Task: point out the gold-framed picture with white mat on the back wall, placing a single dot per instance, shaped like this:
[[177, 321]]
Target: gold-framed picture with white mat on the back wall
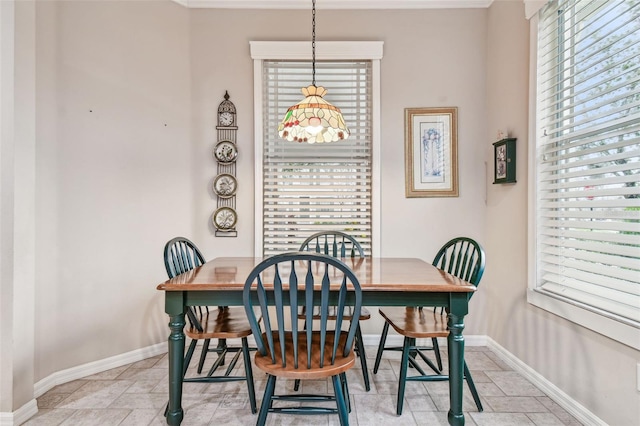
[[431, 152]]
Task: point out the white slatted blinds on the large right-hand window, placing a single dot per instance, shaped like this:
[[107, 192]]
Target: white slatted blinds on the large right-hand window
[[587, 155]]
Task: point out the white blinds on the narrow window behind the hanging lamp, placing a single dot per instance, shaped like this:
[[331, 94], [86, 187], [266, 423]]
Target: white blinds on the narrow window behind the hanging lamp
[[314, 187]]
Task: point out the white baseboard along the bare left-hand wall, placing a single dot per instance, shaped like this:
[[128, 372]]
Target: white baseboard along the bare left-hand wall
[[84, 370]]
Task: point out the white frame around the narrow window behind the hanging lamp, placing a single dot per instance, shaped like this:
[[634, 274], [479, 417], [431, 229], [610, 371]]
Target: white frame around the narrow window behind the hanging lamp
[[325, 50]]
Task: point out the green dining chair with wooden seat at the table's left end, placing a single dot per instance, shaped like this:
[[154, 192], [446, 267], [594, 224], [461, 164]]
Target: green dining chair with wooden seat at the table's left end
[[222, 323]]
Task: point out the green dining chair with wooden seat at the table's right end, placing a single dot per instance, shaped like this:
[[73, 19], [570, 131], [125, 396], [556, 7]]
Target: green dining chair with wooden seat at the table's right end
[[462, 257]]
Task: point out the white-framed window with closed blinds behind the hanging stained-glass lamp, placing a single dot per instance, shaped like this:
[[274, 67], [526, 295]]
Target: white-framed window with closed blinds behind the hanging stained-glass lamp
[[305, 188]]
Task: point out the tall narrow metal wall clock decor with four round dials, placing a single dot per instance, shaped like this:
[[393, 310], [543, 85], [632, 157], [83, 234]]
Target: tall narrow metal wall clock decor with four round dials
[[225, 184]]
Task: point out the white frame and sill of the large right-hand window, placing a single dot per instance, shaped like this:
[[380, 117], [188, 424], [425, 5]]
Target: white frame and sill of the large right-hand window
[[598, 321]]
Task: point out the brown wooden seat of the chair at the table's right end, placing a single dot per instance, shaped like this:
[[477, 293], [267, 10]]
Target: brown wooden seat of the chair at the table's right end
[[416, 323]]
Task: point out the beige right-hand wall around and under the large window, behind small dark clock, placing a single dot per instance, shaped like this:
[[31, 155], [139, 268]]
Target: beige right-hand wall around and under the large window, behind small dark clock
[[595, 371]]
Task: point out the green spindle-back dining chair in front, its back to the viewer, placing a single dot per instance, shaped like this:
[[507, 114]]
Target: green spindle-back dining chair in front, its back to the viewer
[[276, 288]]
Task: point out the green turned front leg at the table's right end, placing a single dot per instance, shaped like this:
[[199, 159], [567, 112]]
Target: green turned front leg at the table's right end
[[455, 341]]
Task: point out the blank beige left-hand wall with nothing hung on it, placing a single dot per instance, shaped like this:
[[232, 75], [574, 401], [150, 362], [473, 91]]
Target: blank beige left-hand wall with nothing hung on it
[[113, 184]]
